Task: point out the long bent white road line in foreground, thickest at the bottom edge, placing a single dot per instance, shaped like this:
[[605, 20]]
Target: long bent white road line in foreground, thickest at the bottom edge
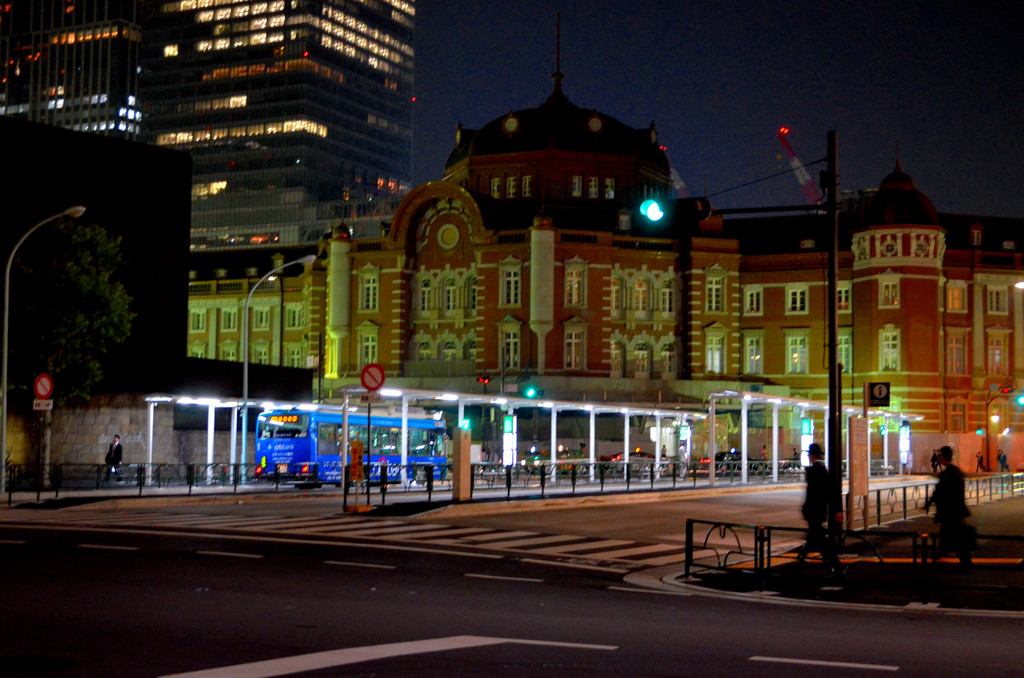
[[326, 660]]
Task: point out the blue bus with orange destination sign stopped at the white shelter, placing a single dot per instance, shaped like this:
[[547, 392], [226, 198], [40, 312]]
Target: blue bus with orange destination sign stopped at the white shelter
[[296, 444]]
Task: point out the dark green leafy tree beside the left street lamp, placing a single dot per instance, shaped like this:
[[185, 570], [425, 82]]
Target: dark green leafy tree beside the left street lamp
[[68, 310]]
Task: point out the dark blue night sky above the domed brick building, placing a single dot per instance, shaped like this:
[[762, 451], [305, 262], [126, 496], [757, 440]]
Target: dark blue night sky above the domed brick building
[[942, 81]]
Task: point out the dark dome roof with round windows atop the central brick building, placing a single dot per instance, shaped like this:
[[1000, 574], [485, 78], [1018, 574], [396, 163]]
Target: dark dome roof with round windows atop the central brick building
[[559, 125]]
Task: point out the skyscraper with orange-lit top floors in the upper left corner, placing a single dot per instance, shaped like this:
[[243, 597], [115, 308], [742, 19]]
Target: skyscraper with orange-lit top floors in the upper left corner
[[72, 65]]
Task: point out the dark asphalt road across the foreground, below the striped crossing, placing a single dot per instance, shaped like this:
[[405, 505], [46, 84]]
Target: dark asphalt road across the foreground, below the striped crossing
[[96, 603]]
